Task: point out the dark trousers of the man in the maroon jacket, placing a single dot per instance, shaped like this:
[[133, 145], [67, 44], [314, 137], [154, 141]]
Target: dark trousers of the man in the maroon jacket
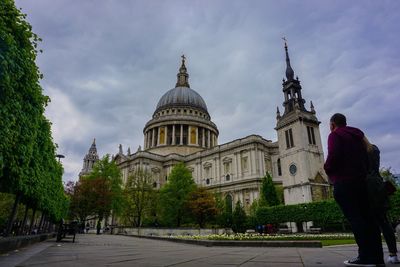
[[352, 198]]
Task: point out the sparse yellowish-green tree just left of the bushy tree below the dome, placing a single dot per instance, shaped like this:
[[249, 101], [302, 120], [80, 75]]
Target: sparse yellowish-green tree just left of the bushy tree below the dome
[[140, 196]]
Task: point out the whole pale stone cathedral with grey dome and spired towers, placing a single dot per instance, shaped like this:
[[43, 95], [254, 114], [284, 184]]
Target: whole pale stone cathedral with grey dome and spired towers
[[181, 130]]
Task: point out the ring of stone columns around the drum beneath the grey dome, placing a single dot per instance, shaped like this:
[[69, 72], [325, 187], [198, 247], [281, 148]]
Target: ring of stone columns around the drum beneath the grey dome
[[180, 134]]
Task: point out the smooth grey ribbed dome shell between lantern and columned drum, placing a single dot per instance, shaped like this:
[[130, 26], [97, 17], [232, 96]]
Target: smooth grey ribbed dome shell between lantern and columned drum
[[181, 96]]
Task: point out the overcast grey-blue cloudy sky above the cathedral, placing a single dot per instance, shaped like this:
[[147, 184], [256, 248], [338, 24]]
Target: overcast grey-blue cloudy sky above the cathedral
[[107, 63]]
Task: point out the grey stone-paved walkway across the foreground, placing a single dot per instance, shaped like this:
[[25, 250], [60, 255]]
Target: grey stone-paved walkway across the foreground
[[110, 250]]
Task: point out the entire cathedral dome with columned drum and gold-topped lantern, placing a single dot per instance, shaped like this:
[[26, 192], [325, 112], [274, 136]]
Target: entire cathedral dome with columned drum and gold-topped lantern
[[181, 123]]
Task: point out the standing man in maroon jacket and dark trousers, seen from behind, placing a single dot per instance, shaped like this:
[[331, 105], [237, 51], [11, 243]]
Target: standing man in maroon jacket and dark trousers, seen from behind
[[347, 166]]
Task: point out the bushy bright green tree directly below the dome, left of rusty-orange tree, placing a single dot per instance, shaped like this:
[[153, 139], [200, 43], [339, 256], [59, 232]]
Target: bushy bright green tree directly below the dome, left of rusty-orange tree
[[174, 195]]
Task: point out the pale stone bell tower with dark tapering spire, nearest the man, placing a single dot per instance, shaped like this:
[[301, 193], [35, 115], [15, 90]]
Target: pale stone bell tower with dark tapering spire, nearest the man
[[301, 157]]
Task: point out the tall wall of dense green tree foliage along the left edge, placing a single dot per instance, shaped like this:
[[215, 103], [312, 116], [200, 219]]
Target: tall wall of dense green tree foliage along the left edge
[[28, 169]]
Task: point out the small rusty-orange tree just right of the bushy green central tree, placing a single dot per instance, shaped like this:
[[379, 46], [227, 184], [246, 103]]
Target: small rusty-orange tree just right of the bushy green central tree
[[202, 206]]
